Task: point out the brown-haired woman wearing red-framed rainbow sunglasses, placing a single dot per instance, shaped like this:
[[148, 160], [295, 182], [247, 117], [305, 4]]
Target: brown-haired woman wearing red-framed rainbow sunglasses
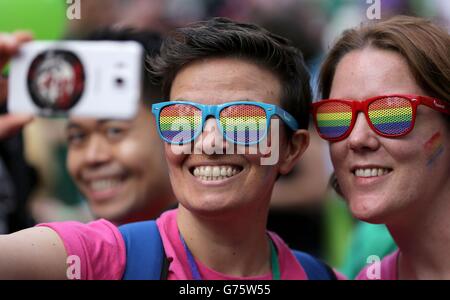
[[389, 133]]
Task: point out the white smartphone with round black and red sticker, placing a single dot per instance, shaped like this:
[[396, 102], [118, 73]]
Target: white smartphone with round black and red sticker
[[98, 79]]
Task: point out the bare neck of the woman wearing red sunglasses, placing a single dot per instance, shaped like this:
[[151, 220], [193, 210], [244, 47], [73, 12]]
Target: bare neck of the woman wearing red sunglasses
[[424, 240]]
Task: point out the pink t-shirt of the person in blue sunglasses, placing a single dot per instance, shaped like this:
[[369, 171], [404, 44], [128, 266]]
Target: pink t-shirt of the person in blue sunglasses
[[102, 253]]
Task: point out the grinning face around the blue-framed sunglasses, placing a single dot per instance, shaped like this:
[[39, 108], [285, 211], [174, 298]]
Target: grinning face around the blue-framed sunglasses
[[241, 180]]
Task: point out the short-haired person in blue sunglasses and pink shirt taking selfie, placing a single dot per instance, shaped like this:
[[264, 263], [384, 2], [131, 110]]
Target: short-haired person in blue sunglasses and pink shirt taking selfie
[[237, 119]]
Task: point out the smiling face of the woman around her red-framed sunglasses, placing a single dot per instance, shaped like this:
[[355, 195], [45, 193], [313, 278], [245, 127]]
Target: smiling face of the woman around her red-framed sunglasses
[[408, 174]]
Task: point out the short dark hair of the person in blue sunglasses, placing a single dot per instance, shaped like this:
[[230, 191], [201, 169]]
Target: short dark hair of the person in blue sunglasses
[[221, 37]]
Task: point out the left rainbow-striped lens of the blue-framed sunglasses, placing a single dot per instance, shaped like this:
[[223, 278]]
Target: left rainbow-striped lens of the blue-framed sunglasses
[[180, 123]]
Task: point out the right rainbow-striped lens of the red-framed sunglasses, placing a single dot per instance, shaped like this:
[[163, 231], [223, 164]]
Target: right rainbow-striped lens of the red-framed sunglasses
[[392, 115]]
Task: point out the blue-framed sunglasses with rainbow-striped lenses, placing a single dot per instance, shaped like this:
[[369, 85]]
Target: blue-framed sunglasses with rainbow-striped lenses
[[241, 122]]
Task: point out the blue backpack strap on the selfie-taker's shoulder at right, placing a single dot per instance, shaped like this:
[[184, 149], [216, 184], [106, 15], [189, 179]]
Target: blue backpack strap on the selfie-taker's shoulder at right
[[315, 269]]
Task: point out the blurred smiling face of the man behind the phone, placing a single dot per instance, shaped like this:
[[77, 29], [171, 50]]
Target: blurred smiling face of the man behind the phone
[[118, 165]]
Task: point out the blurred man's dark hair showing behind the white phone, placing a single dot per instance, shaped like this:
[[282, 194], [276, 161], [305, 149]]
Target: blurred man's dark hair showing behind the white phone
[[150, 41]]
